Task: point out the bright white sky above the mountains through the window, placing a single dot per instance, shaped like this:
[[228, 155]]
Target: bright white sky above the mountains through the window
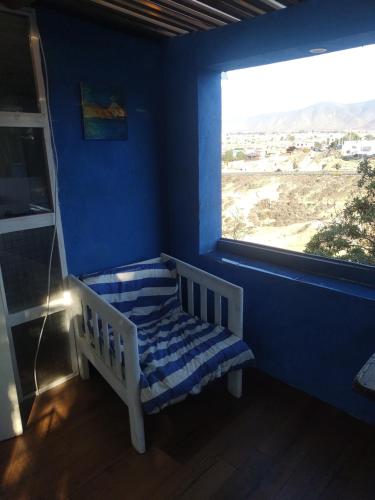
[[346, 76]]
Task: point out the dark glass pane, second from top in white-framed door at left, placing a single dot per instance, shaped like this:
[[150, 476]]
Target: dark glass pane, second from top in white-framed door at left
[[24, 185]]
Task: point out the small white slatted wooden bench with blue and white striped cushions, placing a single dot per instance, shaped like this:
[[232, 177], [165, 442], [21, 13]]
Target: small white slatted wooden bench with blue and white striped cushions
[[131, 325]]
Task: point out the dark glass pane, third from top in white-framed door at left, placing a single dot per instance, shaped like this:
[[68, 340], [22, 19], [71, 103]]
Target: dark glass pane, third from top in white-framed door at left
[[24, 260]]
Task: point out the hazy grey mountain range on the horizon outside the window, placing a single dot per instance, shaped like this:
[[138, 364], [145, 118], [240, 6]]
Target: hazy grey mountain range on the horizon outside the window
[[320, 117]]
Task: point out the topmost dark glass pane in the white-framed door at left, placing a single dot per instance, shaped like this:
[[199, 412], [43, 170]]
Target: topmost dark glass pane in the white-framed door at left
[[17, 84]]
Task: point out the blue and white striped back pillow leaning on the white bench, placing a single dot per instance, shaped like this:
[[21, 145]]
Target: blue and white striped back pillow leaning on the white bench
[[144, 292]]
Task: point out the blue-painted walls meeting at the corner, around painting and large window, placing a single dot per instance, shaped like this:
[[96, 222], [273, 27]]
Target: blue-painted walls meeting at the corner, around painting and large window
[[115, 195]]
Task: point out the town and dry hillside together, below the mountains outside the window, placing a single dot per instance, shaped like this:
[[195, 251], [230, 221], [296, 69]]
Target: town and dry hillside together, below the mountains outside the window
[[279, 189]]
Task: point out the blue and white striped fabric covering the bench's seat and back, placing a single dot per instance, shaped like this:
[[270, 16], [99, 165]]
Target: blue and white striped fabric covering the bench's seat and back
[[179, 354]]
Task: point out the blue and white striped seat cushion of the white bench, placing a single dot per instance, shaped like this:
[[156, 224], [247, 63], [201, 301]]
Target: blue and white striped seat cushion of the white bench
[[181, 354]]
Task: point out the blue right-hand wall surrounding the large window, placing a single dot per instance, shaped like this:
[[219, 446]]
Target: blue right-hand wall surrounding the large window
[[308, 334]]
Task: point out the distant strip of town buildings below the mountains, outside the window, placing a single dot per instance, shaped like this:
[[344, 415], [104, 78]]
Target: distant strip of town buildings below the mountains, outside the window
[[296, 152]]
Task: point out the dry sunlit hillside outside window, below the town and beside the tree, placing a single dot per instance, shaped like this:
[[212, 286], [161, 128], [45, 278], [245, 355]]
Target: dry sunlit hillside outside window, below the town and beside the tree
[[282, 210]]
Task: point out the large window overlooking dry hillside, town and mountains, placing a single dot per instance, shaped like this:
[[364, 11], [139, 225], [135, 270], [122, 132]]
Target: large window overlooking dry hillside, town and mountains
[[298, 155]]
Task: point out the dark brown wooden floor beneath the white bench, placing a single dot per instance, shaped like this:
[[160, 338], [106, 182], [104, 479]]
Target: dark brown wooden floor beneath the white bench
[[276, 443]]
